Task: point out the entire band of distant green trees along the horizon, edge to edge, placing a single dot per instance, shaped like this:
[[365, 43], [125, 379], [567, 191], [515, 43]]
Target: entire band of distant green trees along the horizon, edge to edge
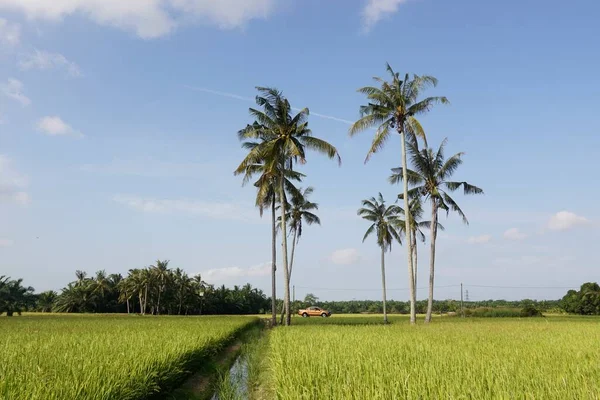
[[105, 294]]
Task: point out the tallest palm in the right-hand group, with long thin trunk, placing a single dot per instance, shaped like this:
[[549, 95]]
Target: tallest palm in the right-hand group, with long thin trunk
[[394, 106]]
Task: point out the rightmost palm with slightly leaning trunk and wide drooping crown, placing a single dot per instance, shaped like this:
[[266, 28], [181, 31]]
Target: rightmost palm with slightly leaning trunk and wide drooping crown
[[431, 179]]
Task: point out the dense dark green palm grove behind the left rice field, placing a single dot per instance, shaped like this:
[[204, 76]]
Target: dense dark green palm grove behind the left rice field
[[154, 290]]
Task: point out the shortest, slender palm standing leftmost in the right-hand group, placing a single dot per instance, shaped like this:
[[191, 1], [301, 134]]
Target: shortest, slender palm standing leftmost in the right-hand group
[[384, 220]]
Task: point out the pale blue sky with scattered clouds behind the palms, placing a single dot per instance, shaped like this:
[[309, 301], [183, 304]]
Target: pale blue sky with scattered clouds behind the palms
[[118, 122]]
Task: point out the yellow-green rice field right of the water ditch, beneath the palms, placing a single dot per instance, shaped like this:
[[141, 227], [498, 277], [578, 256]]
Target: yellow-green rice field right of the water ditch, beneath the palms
[[454, 358]]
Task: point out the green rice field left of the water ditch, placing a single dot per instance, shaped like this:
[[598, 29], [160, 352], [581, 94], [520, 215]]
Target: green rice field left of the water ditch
[[106, 357]]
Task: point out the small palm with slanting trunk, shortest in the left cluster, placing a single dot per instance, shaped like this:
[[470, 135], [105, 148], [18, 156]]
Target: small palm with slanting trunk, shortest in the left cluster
[[300, 209]]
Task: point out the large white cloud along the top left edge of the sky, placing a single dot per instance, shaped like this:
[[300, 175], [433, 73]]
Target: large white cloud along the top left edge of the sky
[[147, 18]]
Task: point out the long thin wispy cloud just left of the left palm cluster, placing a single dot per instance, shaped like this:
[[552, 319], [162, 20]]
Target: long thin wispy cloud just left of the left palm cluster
[[226, 211]]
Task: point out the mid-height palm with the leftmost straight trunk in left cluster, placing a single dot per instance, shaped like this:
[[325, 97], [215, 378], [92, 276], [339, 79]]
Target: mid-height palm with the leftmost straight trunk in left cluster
[[267, 196]]
